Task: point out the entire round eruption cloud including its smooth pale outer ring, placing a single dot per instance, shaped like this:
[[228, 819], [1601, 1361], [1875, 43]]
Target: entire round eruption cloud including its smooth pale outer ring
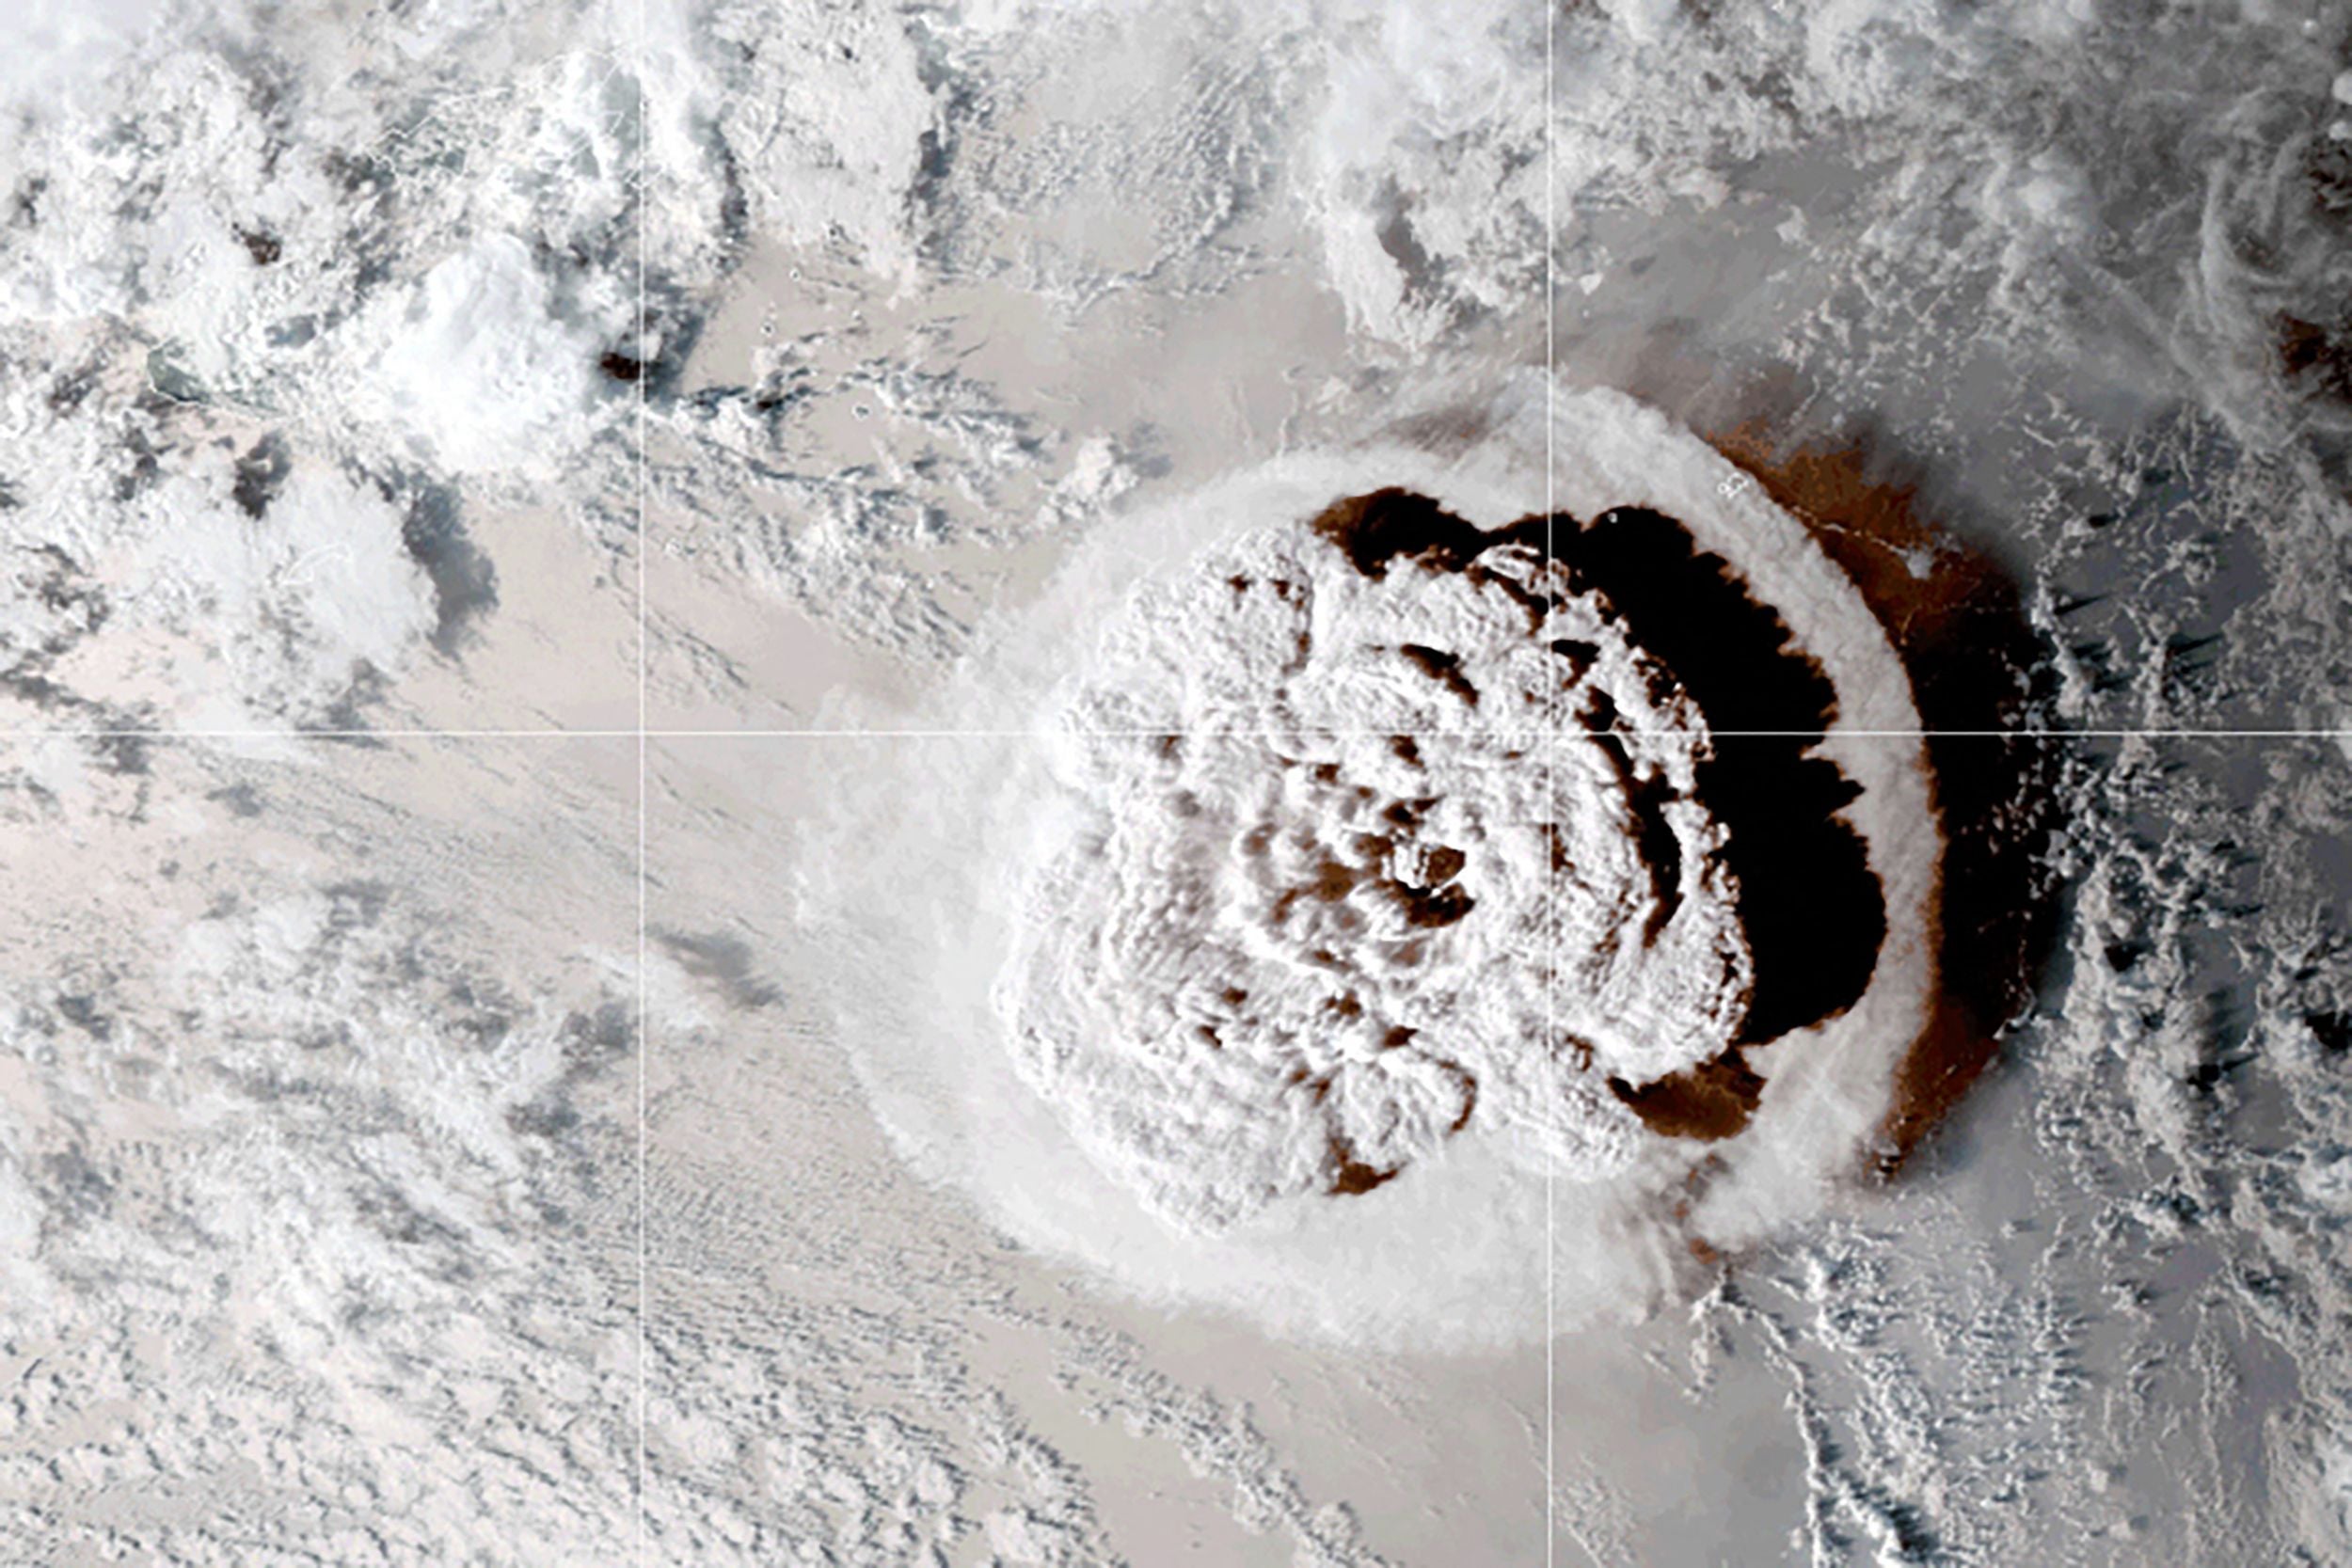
[[1379, 904]]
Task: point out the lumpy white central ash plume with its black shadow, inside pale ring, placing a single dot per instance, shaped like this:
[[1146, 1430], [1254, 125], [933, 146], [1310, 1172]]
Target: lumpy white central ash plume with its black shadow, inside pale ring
[[1405, 831]]
